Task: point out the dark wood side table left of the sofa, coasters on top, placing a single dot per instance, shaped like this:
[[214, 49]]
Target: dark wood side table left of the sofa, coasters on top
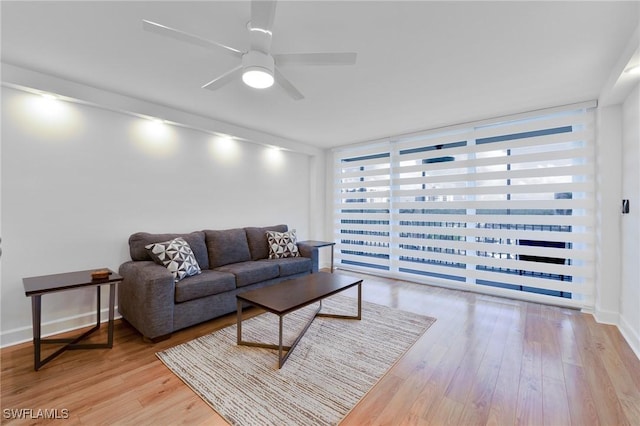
[[35, 287]]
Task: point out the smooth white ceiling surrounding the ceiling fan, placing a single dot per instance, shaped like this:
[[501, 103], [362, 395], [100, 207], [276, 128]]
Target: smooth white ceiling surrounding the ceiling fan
[[420, 64]]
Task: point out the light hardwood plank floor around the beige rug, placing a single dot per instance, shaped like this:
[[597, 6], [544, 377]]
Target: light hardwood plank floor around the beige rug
[[486, 361]]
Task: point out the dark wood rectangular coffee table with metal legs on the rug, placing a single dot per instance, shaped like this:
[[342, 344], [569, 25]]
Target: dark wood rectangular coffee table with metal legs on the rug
[[291, 295]]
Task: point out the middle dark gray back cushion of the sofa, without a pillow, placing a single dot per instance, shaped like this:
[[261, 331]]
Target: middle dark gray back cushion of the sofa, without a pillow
[[228, 246]]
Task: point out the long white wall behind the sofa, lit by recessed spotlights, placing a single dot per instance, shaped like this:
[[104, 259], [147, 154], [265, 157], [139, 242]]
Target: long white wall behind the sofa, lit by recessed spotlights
[[77, 180]]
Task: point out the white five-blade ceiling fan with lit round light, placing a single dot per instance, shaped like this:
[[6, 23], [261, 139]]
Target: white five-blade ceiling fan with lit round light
[[259, 67]]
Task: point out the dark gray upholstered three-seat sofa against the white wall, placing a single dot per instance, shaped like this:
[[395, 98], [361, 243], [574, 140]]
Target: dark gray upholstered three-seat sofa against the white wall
[[232, 261]]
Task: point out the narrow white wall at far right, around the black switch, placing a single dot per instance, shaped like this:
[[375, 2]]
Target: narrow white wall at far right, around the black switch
[[630, 235]]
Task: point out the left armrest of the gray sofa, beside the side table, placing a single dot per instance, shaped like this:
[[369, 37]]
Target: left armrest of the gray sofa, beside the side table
[[146, 297]]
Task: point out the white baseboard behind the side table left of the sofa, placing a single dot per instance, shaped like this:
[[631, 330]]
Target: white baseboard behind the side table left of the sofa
[[62, 325]]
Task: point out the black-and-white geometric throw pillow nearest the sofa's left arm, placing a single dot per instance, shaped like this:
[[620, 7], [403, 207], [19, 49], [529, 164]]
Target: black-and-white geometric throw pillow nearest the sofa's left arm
[[177, 256]]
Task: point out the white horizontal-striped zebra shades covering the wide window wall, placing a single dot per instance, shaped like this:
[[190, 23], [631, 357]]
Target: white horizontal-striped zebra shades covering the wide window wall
[[504, 206]]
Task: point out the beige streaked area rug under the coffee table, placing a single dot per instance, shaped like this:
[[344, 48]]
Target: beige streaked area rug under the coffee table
[[334, 365]]
